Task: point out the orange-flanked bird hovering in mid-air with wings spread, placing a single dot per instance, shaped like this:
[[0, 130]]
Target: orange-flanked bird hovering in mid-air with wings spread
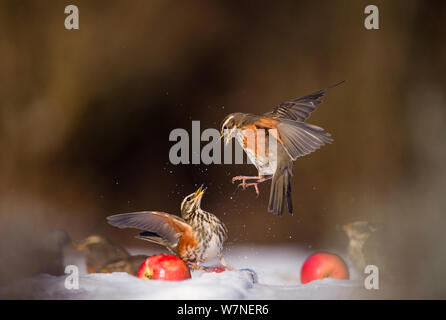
[[293, 137]]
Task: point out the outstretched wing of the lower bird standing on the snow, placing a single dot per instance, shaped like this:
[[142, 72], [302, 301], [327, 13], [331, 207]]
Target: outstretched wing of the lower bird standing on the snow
[[158, 224]]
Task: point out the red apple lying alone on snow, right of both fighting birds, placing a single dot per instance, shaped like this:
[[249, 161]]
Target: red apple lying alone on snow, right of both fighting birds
[[322, 265]]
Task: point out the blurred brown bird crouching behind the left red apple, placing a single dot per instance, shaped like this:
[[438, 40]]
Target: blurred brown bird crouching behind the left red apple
[[100, 252]]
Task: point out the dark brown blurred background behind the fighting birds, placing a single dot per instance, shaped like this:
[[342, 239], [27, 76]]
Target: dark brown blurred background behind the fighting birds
[[85, 117]]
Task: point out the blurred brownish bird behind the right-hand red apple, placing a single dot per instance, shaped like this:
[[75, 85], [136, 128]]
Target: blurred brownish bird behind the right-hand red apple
[[358, 233]]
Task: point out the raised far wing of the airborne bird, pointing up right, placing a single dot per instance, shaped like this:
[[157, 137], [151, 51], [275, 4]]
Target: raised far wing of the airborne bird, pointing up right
[[299, 109]]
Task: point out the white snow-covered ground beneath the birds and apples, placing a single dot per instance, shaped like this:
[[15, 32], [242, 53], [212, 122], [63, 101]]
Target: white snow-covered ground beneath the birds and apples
[[277, 269]]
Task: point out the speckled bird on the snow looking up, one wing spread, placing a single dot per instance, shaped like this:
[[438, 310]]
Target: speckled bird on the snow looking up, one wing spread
[[196, 237]]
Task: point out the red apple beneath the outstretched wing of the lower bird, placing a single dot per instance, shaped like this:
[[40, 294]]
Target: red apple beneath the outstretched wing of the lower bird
[[165, 267]]
